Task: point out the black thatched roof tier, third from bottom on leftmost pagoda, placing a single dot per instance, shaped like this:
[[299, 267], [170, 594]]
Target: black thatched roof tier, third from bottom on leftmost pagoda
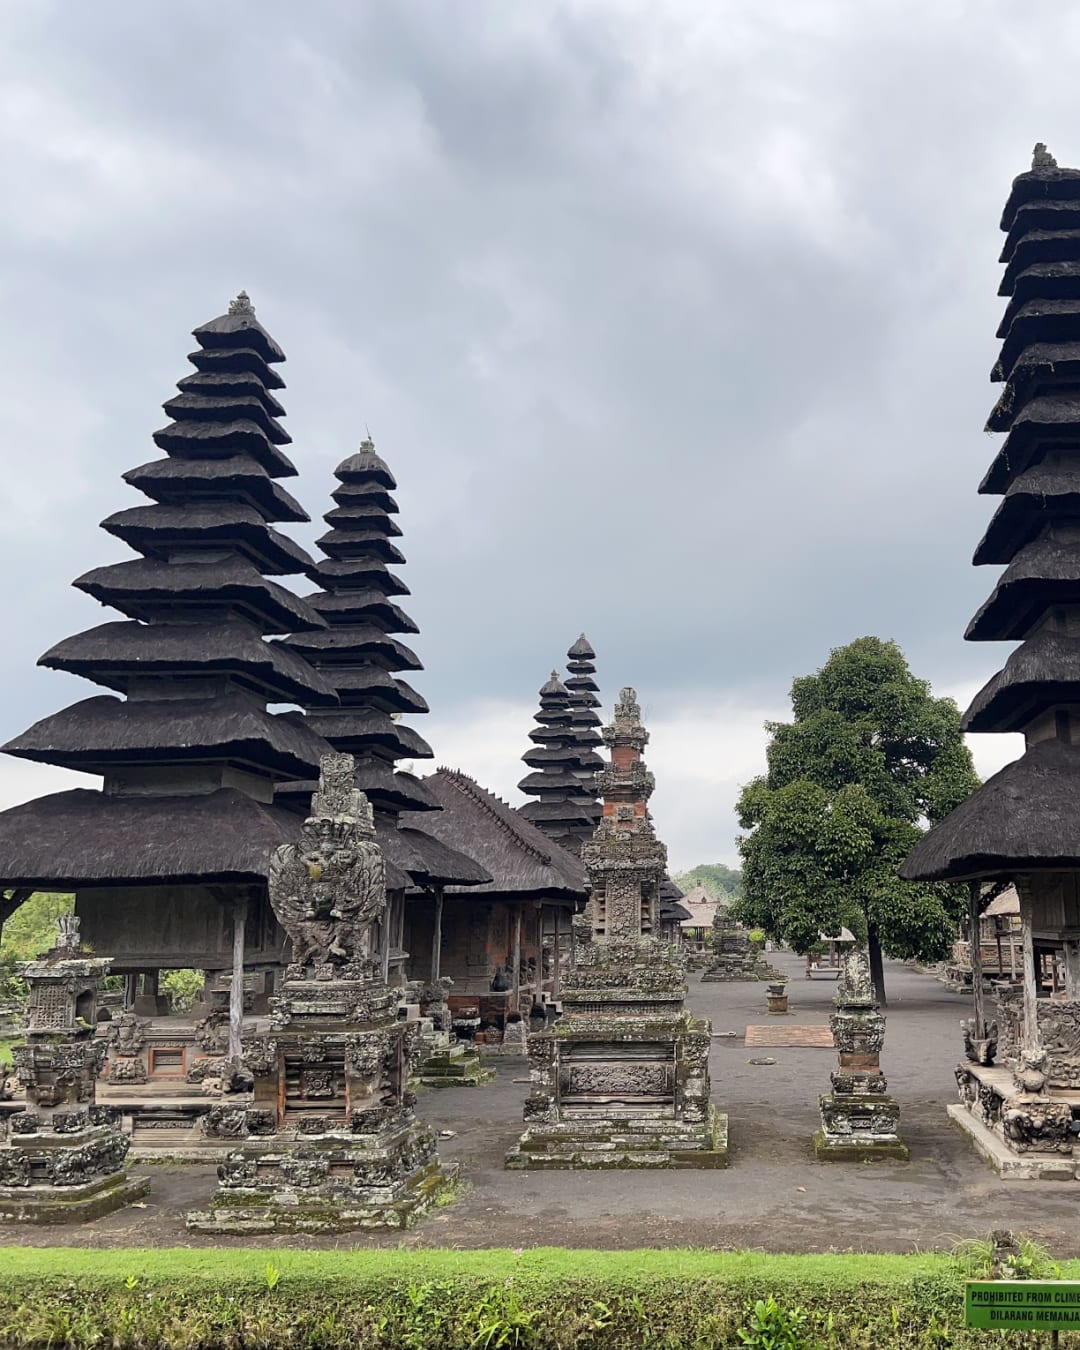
[[117, 654]]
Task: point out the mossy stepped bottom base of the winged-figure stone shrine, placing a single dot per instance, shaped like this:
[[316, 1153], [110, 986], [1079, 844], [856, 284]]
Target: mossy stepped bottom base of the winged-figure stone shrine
[[329, 1183]]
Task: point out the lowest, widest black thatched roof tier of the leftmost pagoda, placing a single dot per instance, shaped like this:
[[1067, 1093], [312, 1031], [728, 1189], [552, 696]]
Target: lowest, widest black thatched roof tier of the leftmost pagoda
[[95, 839]]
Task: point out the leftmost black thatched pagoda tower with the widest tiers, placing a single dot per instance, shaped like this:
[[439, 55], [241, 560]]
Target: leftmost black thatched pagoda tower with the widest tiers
[[169, 858]]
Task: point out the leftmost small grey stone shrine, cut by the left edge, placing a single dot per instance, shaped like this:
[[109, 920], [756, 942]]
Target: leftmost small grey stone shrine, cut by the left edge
[[64, 1156]]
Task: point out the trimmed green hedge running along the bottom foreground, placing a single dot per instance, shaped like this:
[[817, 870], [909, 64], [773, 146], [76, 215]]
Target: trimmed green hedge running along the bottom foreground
[[475, 1301]]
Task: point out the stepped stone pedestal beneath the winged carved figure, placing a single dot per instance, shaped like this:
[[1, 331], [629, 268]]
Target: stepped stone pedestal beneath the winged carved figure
[[331, 1141]]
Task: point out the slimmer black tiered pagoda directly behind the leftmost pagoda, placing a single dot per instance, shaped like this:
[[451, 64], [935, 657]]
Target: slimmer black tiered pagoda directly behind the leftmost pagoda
[[360, 657]]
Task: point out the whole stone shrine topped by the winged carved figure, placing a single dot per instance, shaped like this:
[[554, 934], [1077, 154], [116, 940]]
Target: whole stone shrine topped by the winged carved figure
[[330, 1141]]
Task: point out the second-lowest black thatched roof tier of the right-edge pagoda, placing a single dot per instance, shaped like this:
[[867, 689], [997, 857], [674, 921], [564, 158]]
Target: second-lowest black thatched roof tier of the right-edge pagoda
[[1043, 673]]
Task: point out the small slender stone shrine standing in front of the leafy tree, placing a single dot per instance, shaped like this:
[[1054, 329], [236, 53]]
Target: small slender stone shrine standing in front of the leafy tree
[[859, 1120]]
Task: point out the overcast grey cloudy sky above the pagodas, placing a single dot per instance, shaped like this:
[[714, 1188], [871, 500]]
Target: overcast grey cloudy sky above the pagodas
[[674, 322]]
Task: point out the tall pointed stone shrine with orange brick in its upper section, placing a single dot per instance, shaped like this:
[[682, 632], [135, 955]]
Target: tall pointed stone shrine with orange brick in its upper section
[[622, 1081]]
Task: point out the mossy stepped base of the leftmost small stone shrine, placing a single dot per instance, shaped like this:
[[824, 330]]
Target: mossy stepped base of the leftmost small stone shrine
[[68, 1177]]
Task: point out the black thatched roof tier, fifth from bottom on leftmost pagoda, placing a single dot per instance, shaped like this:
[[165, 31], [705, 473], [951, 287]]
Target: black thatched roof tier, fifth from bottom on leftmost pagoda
[[167, 531]]
